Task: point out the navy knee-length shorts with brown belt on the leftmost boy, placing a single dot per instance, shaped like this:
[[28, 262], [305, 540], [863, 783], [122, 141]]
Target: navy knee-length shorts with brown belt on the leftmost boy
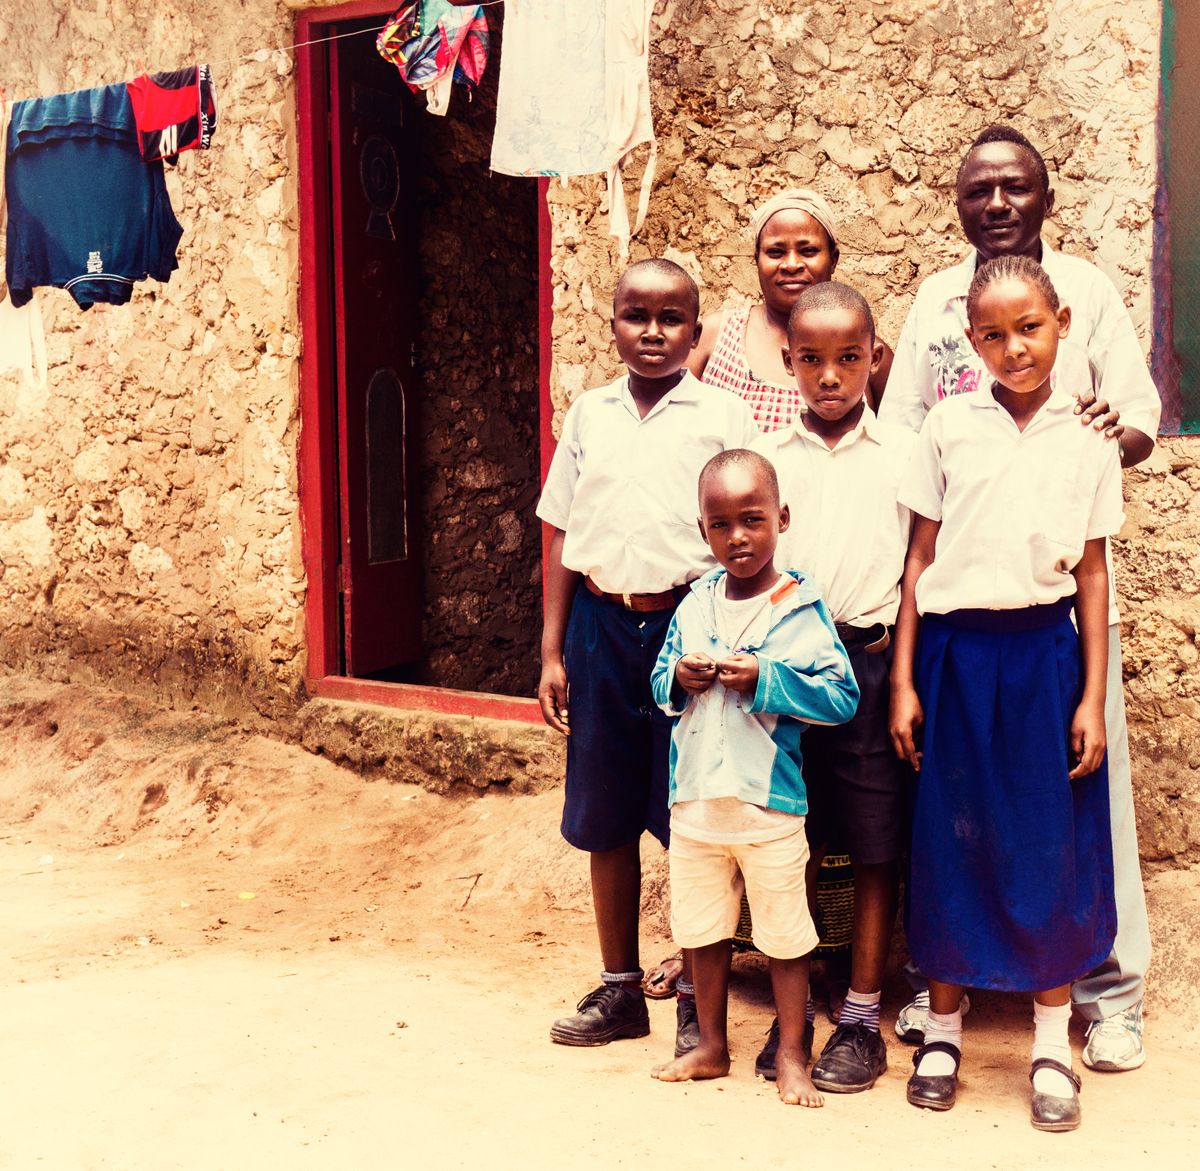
[[619, 752]]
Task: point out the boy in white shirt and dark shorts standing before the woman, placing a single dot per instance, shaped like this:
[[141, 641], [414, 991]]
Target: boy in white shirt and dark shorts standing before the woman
[[847, 467]]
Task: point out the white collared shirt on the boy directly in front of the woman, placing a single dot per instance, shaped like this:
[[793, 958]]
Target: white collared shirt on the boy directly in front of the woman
[[849, 532]]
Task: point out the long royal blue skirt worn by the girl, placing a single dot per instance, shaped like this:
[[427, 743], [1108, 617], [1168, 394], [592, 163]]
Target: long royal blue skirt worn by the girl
[[1012, 863]]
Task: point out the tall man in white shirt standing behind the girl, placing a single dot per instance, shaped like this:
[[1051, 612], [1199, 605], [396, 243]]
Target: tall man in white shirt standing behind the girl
[[1004, 196]]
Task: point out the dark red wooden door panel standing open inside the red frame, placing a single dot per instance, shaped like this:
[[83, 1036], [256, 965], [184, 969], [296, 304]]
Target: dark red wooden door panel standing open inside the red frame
[[375, 302]]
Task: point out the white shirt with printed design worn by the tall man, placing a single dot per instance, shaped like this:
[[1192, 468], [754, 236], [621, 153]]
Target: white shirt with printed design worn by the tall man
[[934, 361]]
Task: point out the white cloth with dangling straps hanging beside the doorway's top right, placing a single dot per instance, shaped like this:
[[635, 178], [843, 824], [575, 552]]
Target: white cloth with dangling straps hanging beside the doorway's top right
[[575, 97]]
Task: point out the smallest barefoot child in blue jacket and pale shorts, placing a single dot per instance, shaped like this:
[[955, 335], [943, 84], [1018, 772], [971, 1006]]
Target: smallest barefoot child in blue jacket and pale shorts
[[751, 656]]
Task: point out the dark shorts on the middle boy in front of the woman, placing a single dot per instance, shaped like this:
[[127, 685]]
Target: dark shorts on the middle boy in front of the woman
[[859, 789]]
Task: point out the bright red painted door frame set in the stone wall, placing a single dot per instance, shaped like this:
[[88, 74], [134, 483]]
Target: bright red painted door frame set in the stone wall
[[317, 488]]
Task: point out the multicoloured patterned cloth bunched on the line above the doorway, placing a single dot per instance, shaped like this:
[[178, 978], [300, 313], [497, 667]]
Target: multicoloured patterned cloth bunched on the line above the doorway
[[434, 44]]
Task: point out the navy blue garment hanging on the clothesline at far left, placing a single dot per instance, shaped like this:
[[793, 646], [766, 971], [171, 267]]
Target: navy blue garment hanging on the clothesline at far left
[[86, 213]]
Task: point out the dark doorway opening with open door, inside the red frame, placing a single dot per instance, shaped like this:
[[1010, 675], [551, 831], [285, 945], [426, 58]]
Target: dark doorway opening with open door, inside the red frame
[[433, 290]]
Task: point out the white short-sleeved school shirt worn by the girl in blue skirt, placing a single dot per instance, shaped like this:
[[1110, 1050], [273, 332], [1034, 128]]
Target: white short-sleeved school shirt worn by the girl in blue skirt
[[1016, 506]]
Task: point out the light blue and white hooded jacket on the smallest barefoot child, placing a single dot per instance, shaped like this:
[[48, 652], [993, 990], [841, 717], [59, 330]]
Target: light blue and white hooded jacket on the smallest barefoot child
[[728, 746]]
